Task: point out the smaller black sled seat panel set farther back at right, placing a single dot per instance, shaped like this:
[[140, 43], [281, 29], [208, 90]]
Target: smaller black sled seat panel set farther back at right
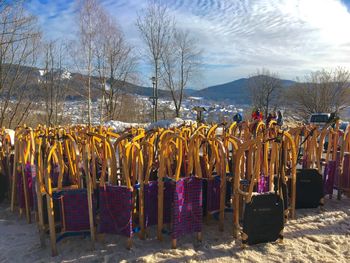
[[309, 189]]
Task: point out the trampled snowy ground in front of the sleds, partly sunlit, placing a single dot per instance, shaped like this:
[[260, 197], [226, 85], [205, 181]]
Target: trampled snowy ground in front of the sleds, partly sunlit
[[315, 236]]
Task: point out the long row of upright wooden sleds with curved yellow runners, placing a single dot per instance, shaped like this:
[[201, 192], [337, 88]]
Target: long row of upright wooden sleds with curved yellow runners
[[90, 180]]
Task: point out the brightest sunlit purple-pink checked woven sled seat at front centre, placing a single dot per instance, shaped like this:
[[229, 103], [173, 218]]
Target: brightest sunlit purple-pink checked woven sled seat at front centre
[[187, 207]]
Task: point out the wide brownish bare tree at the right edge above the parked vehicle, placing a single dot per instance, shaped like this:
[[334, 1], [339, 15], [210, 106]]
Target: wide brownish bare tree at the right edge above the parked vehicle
[[320, 91]]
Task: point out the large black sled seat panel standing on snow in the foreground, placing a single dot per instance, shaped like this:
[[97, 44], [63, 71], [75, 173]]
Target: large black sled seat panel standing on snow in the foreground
[[263, 219]]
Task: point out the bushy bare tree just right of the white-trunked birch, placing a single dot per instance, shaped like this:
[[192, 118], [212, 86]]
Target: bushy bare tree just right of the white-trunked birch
[[115, 65]]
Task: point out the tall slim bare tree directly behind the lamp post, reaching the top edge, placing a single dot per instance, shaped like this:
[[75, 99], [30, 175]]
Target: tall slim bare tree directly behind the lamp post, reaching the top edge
[[155, 25]]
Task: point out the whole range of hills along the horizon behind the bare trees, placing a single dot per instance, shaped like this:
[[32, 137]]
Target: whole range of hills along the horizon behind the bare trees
[[32, 82]]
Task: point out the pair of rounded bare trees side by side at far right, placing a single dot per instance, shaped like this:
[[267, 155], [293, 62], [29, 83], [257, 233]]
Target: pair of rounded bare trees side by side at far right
[[320, 91]]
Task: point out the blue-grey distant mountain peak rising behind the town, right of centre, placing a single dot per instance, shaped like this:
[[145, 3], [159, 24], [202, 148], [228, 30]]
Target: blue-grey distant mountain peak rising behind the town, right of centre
[[235, 91]]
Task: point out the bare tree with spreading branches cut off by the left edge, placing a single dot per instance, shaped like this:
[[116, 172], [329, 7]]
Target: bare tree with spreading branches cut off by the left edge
[[19, 36]]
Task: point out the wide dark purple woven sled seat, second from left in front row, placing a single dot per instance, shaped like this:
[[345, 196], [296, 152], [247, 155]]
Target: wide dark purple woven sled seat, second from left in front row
[[116, 210]]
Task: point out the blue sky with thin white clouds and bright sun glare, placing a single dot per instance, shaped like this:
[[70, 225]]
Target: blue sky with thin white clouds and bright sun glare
[[237, 37]]
